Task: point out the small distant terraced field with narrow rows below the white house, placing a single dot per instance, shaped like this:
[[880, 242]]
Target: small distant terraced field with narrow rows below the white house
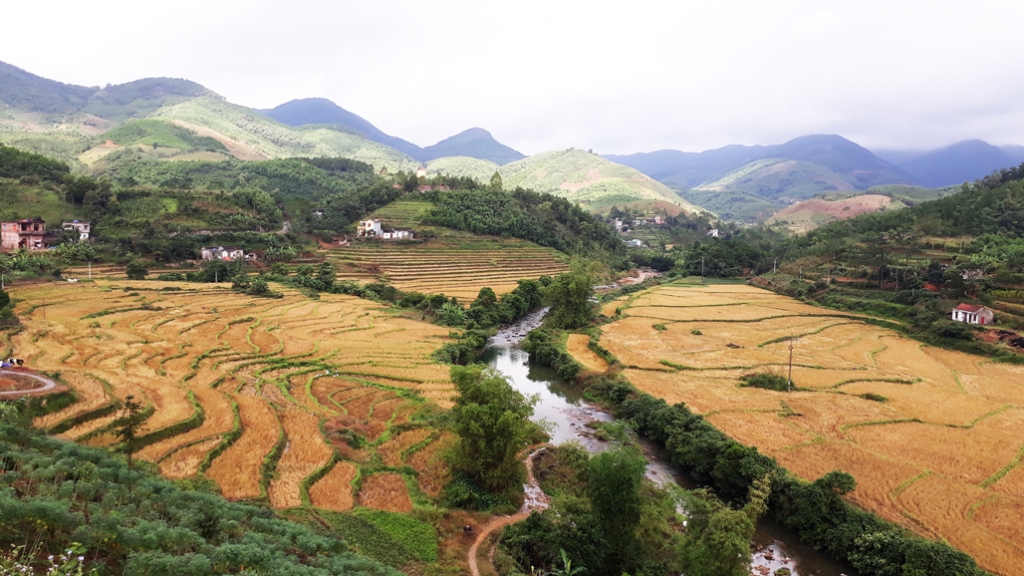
[[455, 269]]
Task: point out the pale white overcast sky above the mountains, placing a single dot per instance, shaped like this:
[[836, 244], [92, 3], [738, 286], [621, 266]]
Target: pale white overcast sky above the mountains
[[618, 77]]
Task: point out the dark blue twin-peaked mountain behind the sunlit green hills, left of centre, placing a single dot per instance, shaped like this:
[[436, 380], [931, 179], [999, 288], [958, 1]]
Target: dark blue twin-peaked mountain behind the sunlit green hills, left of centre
[[476, 143]]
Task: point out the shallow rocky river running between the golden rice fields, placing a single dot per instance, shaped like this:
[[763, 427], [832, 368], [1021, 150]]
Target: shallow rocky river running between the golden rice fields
[[568, 415]]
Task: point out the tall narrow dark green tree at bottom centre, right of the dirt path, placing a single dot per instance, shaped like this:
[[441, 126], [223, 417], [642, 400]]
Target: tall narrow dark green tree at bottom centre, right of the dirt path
[[615, 480]]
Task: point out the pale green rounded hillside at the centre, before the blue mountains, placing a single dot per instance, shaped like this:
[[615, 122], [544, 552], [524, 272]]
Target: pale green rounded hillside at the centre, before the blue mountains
[[593, 182]]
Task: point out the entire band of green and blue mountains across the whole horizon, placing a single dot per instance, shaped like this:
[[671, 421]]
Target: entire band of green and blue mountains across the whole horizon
[[162, 119]]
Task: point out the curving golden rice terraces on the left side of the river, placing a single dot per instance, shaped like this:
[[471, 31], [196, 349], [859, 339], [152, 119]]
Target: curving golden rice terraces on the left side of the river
[[265, 397]]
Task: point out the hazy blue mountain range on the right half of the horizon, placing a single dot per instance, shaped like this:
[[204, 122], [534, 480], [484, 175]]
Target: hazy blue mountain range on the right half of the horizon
[[751, 183]]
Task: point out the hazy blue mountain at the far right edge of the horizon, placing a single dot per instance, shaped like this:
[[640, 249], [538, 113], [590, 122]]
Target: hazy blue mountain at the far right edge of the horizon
[[966, 161]]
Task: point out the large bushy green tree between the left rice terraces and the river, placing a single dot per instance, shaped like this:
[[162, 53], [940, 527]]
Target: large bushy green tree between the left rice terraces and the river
[[493, 423]]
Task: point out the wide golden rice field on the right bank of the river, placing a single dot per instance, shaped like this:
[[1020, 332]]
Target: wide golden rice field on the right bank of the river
[[942, 456]]
